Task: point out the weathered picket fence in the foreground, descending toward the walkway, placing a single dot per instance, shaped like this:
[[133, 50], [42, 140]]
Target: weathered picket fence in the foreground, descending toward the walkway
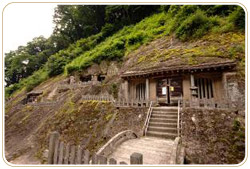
[[61, 153]]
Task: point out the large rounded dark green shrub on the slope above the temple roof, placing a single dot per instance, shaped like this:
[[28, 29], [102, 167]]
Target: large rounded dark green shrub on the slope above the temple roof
[[194, 26]]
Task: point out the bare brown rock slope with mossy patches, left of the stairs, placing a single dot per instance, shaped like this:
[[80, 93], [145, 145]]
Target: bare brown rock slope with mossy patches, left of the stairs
[[87, 123]]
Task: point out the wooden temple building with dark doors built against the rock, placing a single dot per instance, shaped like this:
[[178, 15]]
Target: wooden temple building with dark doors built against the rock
[[176, 79]]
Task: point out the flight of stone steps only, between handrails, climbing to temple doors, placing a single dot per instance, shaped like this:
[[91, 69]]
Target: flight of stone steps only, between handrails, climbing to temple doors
[[163, 122]]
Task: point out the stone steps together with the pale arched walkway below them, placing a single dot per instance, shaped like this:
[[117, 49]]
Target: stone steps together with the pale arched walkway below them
[[159, 145]]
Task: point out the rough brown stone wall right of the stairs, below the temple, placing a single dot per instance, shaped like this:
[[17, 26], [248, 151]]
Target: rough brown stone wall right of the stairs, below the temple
[[213, 136]]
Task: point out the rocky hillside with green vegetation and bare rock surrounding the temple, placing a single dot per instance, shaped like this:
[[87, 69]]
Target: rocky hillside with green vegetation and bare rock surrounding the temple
[[176, 37]]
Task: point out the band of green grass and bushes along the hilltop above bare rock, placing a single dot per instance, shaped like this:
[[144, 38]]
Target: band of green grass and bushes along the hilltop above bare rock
[[186, 22]]
